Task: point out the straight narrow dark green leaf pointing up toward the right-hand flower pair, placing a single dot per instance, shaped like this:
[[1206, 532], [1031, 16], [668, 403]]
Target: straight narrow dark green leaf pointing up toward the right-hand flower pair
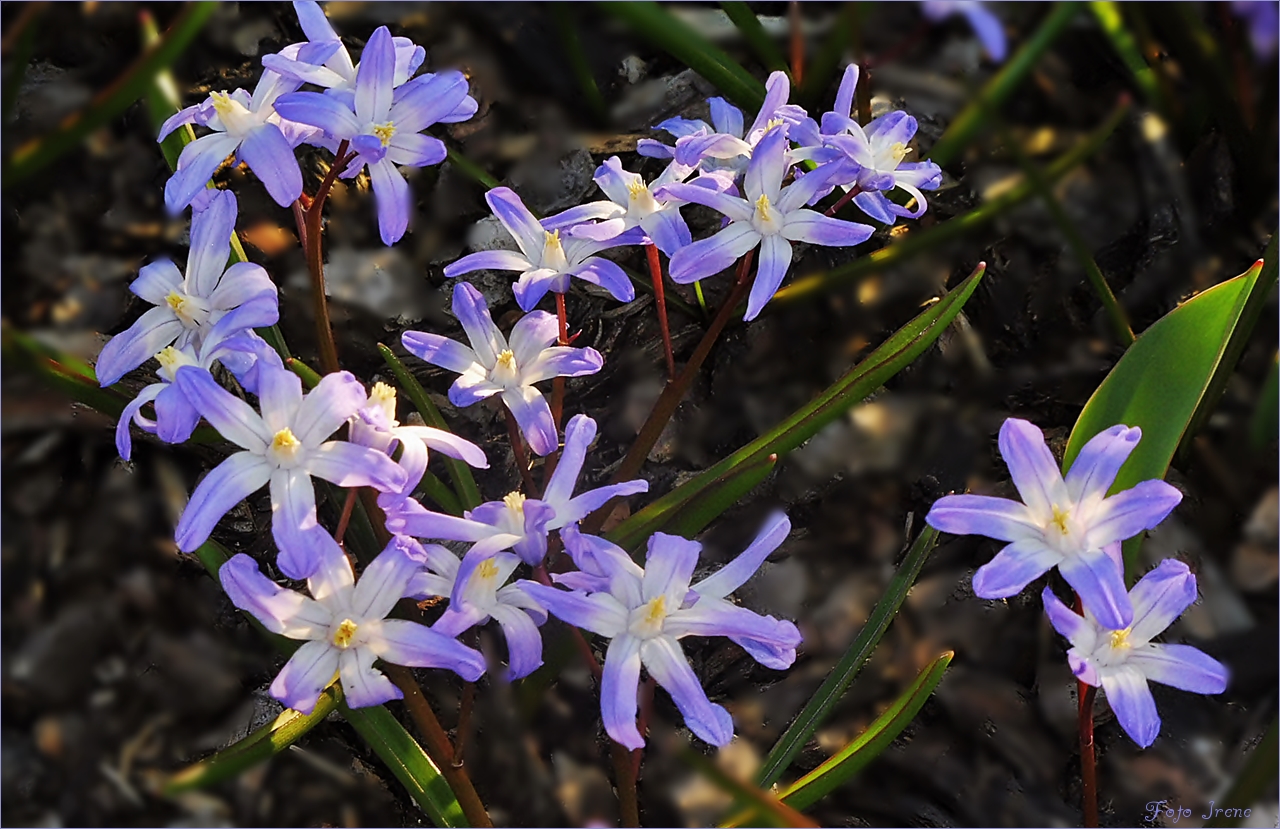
[[822, 703]]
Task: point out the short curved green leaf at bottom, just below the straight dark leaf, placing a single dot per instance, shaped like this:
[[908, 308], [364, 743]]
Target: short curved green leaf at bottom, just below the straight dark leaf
[[857, 755]]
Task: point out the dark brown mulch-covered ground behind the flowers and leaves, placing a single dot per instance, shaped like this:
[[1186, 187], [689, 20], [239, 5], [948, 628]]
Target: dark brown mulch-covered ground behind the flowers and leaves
[[124, 662]]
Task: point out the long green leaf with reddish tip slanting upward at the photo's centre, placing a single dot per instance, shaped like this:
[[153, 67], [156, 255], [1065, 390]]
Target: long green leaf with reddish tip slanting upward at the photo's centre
[[872, 373]]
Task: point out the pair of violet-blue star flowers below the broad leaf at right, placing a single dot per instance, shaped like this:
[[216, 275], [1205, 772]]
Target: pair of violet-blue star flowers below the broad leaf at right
[[1072, 524]]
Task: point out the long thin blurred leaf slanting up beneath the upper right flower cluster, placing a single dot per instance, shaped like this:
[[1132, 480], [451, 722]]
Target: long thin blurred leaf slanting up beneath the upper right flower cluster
[[920, 241]]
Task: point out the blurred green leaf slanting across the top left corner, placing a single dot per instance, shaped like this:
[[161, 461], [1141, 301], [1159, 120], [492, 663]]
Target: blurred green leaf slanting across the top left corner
[[40, 153]]
